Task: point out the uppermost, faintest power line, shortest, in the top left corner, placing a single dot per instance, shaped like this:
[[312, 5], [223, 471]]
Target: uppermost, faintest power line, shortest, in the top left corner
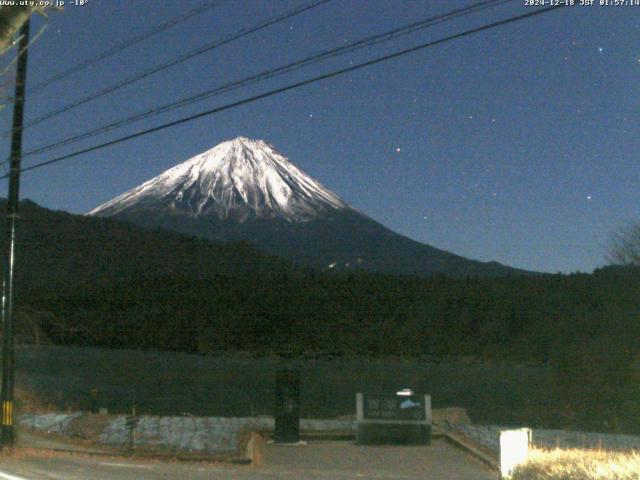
[[119, 47]]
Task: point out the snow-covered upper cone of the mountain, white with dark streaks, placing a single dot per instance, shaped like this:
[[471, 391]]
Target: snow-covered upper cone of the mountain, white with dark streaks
[[235, 180]]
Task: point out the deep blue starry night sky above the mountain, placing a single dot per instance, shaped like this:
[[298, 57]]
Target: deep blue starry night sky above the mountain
[[518, 144]]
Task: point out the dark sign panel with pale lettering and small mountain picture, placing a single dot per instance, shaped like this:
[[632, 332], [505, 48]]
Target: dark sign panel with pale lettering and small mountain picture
[[394, 407]]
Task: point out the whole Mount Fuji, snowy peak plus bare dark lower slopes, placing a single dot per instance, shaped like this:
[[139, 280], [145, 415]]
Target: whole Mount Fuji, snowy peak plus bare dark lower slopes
[[244, 189]]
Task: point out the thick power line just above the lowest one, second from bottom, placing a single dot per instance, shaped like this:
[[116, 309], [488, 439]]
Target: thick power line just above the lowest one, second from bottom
[[367, 42]]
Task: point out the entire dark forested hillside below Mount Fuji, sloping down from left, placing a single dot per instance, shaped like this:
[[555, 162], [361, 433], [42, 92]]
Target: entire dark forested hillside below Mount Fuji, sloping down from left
[[97, 282]]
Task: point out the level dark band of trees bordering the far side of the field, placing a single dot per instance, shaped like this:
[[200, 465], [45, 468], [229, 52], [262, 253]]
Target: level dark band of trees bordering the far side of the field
[[518, 318]]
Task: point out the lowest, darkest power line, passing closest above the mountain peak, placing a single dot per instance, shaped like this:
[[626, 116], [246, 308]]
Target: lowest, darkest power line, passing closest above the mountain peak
[[291, 87]]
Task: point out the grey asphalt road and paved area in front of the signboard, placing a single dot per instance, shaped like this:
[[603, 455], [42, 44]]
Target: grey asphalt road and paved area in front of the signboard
[[315, 461]]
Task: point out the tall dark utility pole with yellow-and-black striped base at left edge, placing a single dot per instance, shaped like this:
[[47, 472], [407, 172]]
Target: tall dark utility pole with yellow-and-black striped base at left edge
[[8, 359]]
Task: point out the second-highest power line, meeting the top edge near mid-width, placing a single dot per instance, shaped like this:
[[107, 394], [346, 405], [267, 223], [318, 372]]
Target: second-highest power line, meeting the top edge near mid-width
[[128, 81]]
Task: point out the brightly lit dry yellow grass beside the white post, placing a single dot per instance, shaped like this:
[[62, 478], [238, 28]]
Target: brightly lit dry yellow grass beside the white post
[[579, 465]]
